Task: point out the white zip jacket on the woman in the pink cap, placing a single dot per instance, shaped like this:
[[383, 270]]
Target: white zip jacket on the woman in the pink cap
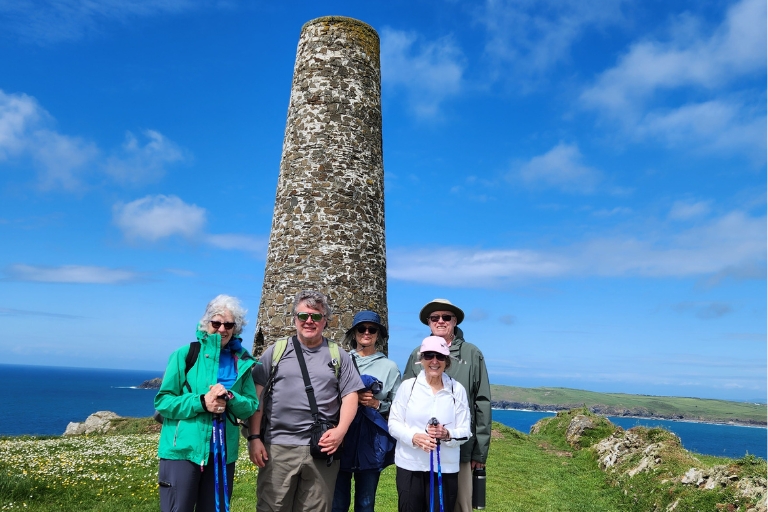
[[414, 406]]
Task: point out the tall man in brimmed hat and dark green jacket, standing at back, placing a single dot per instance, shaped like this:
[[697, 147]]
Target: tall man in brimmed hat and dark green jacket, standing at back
[[469, 369]]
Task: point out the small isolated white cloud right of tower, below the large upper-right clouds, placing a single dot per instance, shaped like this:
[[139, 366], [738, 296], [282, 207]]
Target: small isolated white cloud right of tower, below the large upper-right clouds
[[560, 168]]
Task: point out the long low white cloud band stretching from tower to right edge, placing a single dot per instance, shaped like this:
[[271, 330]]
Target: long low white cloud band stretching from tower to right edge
[[729, 246]]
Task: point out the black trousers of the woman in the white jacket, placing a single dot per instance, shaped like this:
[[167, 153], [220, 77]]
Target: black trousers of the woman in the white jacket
[[413, 490]]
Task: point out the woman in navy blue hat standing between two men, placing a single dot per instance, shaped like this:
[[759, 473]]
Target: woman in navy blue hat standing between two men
[[365, 341]]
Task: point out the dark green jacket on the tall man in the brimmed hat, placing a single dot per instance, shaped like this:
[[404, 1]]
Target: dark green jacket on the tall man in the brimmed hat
[[467, 367]]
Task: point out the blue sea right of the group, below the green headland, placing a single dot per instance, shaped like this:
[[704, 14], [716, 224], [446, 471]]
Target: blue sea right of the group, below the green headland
[[721, 440]]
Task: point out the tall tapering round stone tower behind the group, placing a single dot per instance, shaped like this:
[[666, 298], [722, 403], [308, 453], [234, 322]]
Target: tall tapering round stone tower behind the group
[[328, 225]]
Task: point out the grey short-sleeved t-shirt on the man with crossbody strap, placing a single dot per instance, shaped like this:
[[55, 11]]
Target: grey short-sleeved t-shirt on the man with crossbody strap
[[288, 414]]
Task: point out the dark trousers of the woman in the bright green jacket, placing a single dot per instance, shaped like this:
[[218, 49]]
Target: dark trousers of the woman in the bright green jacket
[[184, 488]]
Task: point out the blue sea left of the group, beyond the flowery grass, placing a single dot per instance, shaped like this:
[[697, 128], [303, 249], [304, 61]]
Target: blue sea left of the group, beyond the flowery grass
[[49, 397]]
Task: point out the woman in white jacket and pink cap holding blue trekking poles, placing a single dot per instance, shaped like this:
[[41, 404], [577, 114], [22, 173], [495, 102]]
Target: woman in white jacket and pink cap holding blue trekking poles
[[432, 394]]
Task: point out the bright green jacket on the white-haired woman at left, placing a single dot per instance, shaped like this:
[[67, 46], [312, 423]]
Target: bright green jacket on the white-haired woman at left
[[187, 426]]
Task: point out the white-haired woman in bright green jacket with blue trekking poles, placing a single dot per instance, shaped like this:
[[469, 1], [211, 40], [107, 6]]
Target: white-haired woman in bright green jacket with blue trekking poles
[[214, 391]]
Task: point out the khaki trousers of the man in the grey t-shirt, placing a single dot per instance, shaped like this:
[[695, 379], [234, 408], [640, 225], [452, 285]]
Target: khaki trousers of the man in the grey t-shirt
[[293, 481]]
